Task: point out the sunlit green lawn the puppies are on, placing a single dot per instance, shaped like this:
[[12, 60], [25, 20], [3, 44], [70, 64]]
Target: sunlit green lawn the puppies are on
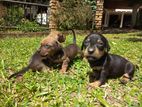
[[56, 90]]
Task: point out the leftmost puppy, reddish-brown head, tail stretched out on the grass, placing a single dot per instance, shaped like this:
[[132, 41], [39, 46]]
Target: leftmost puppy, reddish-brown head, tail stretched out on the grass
[[41, 60]]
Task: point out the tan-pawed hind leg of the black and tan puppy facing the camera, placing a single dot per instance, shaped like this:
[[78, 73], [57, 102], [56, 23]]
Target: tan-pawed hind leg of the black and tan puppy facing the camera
[[128, 74]]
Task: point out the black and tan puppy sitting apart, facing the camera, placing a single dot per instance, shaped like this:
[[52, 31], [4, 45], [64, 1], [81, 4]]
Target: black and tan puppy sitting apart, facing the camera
[[95, 49]]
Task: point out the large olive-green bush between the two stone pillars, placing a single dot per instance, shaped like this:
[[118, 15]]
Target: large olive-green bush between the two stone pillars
[[74, 14]]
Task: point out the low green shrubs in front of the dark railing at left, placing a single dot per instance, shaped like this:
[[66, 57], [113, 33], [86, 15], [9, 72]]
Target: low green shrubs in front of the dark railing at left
[[15, 18]]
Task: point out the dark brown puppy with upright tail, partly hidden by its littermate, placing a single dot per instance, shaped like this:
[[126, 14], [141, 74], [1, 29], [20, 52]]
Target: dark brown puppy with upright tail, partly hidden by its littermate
[[65, 55]]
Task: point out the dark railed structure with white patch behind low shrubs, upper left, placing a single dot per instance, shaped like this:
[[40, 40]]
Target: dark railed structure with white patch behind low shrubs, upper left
[[33, 9]]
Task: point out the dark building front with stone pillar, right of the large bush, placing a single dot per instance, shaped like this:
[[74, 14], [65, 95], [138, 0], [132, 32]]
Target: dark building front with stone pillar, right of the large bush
[[118, 14]]
